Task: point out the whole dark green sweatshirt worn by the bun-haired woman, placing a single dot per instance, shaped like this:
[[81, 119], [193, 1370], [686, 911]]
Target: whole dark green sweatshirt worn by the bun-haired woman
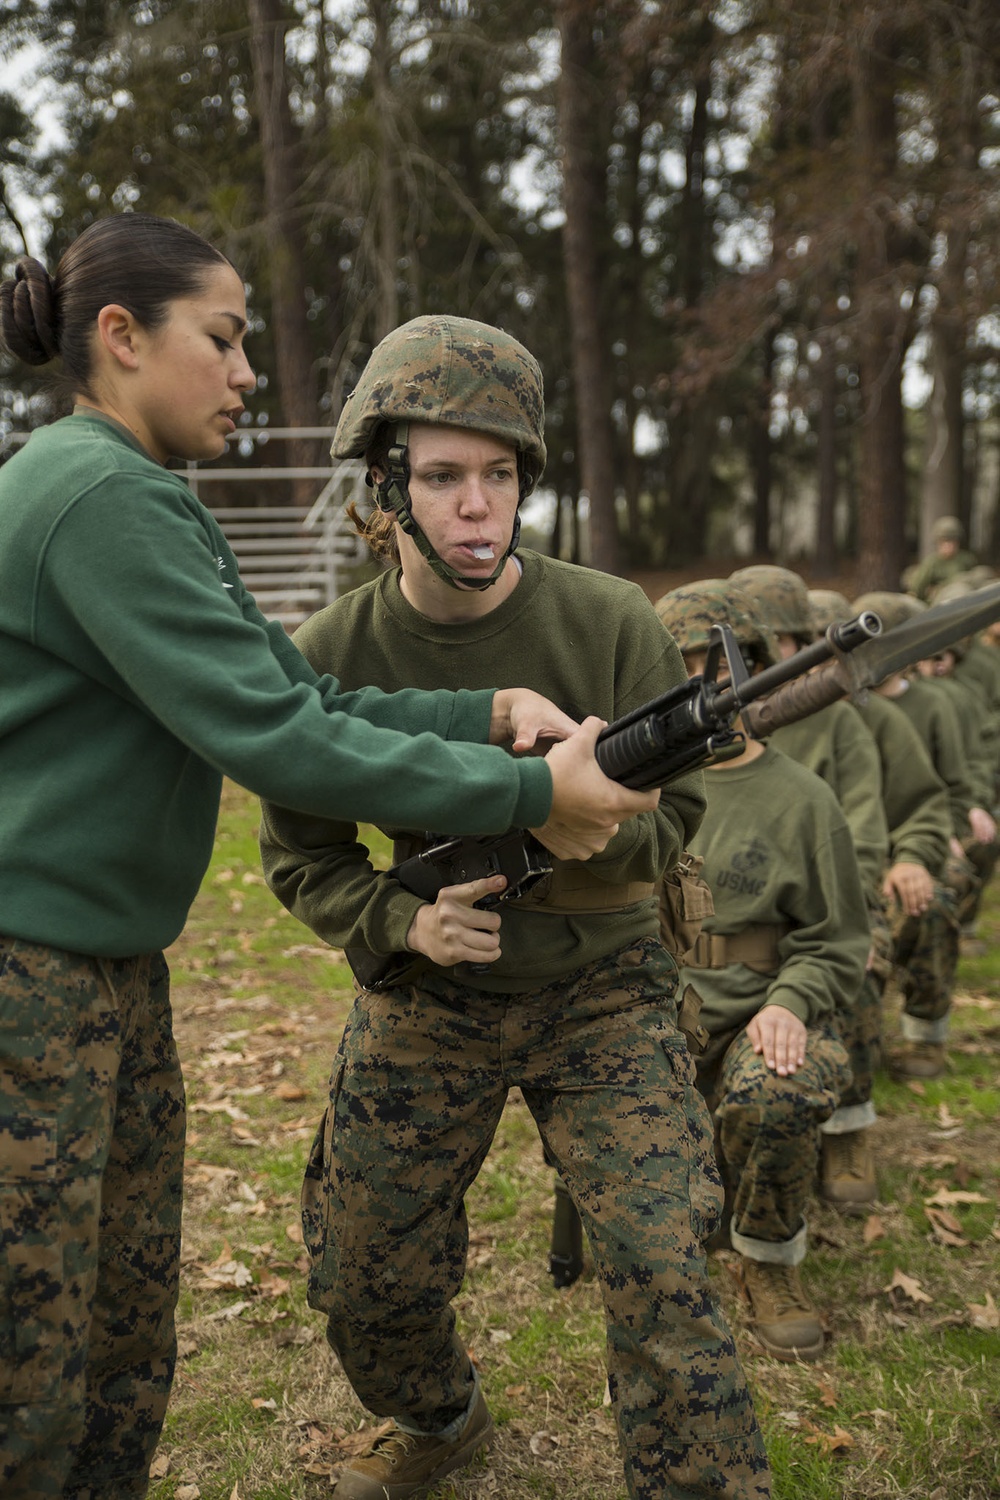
[[137, 671]]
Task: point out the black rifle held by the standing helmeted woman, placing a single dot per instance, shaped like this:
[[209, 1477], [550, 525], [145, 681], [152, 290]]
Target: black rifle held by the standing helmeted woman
[[684, 730]]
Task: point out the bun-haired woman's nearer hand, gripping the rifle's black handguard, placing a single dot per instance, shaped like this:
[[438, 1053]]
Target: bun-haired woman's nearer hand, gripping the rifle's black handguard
[[587, 806]]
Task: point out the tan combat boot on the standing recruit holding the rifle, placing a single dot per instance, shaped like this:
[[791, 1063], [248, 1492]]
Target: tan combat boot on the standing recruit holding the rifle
[[401, 1466]]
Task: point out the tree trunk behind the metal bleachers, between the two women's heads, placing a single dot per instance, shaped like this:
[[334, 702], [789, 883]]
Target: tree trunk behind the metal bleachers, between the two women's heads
[[293, 346]]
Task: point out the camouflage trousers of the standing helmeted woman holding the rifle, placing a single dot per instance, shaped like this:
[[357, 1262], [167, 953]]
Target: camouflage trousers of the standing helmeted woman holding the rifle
[[418, 1093]]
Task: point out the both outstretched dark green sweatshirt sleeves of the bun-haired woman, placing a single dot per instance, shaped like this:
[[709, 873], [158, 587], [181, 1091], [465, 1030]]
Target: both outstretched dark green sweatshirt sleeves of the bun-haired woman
[[131, 589]]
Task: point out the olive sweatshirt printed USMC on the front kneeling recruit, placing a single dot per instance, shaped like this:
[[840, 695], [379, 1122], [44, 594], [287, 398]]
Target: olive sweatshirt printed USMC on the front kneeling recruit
[[777, 850]]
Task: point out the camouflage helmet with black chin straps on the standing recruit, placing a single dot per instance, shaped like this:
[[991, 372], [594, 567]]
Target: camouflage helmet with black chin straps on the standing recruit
[[452, 373]]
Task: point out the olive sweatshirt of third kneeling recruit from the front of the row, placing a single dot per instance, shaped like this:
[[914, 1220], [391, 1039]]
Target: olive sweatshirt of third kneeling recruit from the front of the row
[[914, 794]]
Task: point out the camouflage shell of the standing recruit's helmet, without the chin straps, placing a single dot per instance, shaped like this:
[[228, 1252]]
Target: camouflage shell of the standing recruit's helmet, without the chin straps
[[451, 371]]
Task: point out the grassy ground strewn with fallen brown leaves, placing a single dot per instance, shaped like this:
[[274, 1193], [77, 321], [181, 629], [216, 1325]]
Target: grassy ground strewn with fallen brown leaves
[[905, 1405]]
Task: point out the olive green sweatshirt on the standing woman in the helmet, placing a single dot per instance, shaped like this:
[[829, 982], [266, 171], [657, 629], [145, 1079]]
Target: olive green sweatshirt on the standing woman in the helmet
[[588, 641]]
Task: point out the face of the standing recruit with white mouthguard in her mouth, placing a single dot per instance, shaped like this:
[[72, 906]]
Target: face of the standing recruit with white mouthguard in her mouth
[[464, 496]]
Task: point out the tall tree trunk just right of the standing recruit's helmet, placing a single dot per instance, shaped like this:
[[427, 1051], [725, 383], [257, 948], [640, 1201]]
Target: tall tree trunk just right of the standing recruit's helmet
[[582, 233]]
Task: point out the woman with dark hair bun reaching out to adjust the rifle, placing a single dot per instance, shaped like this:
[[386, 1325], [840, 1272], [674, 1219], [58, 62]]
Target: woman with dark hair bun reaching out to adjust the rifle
[[137, 671]]
